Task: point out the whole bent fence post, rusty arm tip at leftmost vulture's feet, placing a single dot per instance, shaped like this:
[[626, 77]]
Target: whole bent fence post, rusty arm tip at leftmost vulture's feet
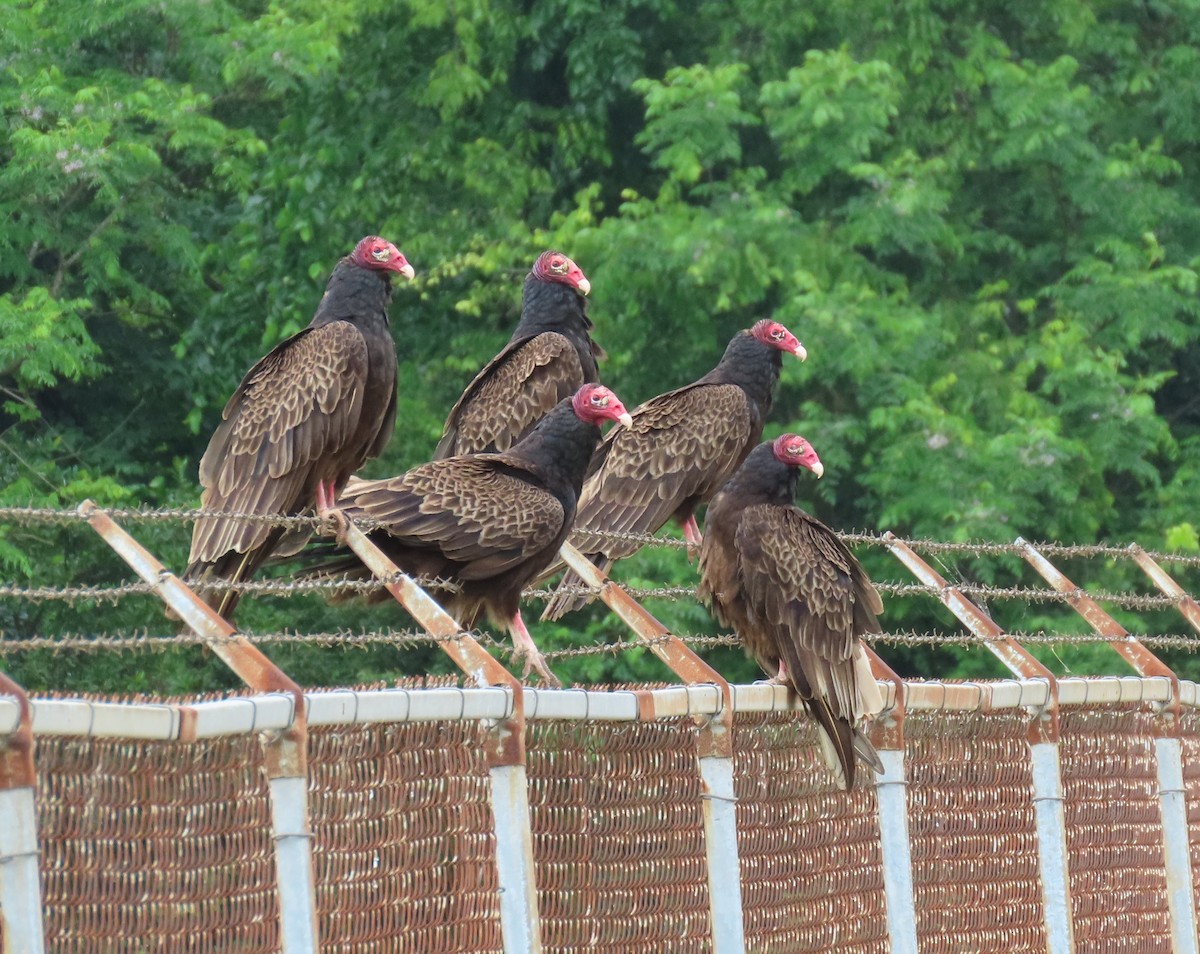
[[520, 920]]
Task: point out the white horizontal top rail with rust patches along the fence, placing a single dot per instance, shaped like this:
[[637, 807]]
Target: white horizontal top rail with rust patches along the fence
[[345, 707]]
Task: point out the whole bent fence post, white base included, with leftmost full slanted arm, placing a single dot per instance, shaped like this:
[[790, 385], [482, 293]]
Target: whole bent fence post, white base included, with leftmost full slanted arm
[[286, 752]]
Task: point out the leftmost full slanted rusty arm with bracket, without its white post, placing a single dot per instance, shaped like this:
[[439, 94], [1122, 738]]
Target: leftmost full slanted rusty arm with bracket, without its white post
[[289, 757]]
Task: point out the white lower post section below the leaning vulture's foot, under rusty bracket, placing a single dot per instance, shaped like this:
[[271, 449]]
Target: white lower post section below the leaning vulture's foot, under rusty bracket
[[520, 925]]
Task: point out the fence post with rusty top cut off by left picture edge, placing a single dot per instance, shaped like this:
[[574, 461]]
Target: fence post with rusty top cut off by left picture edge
[[21, 891]]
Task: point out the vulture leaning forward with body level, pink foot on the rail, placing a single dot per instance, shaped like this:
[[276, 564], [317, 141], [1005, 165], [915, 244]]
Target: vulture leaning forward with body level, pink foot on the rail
[[488, 524]]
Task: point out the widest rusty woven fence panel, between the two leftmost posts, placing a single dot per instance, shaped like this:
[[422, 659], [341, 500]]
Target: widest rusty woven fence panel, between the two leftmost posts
[[157, 847]]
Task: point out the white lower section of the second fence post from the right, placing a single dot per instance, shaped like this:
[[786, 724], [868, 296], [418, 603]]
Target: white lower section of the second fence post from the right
[[1052, 848]]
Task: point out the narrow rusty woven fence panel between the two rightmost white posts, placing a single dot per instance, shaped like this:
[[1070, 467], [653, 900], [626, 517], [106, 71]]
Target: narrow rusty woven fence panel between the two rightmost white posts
[[1114, 832]]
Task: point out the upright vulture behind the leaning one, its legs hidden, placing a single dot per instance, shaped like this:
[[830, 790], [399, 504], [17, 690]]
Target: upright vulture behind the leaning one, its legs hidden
[[550, 357]]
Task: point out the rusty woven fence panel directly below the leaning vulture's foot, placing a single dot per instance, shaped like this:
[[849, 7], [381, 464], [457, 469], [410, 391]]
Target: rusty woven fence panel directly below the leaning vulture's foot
[[404, 847]]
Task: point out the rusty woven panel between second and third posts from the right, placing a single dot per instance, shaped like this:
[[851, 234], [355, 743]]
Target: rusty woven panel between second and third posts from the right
[[974, 835]]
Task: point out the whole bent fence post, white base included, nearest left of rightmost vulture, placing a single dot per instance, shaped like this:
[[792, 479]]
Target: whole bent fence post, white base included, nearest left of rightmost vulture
[[715, 747]]
